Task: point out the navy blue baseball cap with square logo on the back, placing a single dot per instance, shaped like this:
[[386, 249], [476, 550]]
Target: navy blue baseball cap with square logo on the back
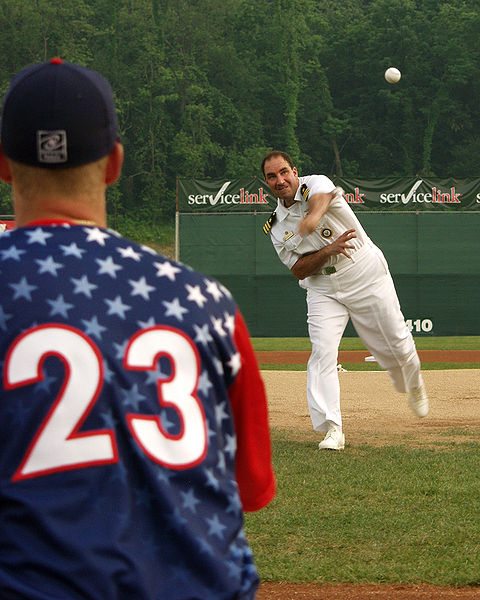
[[57, 114]]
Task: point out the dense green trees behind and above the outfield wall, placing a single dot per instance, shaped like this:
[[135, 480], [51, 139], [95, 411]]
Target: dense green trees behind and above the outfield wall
[[205, 87]]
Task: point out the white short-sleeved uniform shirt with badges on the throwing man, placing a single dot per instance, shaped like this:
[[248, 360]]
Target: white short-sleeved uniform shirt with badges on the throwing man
[[290, 246]]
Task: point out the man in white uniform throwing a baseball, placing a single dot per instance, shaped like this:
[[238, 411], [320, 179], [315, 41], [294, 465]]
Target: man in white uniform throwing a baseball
[[318, 237]]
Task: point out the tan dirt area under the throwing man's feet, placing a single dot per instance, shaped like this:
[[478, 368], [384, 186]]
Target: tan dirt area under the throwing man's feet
[[375, 414]]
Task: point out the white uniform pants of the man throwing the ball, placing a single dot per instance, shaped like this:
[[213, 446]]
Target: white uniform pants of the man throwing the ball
[[365, 293]]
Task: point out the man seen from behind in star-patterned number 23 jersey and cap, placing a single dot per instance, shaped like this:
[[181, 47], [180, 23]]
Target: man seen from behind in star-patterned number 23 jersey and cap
[[133, 418]]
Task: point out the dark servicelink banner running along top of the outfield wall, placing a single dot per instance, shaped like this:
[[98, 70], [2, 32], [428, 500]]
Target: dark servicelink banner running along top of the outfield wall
[[246, 195]]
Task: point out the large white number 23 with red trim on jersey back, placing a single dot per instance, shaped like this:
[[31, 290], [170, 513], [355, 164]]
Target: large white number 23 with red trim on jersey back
[[58, 444]]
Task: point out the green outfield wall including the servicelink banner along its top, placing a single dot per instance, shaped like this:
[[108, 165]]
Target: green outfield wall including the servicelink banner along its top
[[430, 237]]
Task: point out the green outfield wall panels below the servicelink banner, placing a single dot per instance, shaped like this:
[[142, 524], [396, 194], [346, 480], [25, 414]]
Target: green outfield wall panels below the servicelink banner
[[433, 258]]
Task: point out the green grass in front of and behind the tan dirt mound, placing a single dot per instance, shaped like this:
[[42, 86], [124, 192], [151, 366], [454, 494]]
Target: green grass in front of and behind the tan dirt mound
[[377, 515]]
